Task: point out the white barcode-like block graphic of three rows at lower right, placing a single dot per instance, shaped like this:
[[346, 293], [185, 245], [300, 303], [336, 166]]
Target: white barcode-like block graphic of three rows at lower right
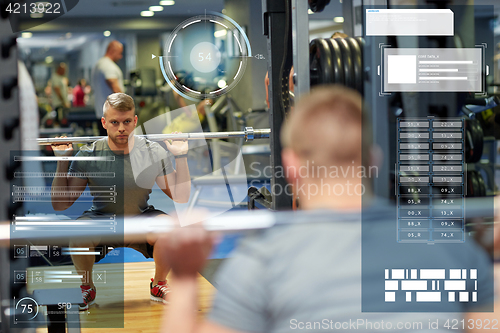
[[431, 285]]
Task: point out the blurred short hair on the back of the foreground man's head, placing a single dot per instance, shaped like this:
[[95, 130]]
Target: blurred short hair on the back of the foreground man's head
[[326, 127]]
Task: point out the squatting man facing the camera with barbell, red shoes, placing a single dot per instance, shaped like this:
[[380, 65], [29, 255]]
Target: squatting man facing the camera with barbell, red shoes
[[144, 163]]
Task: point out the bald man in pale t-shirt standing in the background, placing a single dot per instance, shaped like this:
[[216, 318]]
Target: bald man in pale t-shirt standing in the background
[[107, 77]]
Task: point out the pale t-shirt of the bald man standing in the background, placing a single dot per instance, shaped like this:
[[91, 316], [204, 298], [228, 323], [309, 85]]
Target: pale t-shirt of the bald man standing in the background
[[104, 69]]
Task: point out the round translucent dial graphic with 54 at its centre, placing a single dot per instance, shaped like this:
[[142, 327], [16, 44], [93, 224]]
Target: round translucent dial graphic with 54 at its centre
[[205, 56]]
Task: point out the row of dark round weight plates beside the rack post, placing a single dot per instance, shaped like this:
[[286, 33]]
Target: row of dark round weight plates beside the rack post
[[337, 61]]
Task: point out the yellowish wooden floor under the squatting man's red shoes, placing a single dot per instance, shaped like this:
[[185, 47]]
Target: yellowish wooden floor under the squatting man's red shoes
[[140, 314]]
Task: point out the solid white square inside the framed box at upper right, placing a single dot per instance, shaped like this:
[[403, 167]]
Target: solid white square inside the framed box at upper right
[[402, 69]]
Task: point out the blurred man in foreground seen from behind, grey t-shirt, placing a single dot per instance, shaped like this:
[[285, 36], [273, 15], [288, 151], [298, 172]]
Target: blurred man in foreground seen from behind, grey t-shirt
[[307, 275]]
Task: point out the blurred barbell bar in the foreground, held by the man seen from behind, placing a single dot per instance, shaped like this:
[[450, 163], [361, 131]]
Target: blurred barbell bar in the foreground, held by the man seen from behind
[[137, 228]]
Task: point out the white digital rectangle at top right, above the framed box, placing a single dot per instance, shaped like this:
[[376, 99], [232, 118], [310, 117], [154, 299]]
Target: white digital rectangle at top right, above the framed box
[[409, 22]]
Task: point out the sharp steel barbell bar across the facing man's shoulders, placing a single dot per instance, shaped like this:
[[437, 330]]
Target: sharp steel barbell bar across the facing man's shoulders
[[249, 134]]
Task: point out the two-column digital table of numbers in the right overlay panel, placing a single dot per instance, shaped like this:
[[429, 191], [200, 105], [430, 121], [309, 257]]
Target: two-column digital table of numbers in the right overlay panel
[[430, 177]]
